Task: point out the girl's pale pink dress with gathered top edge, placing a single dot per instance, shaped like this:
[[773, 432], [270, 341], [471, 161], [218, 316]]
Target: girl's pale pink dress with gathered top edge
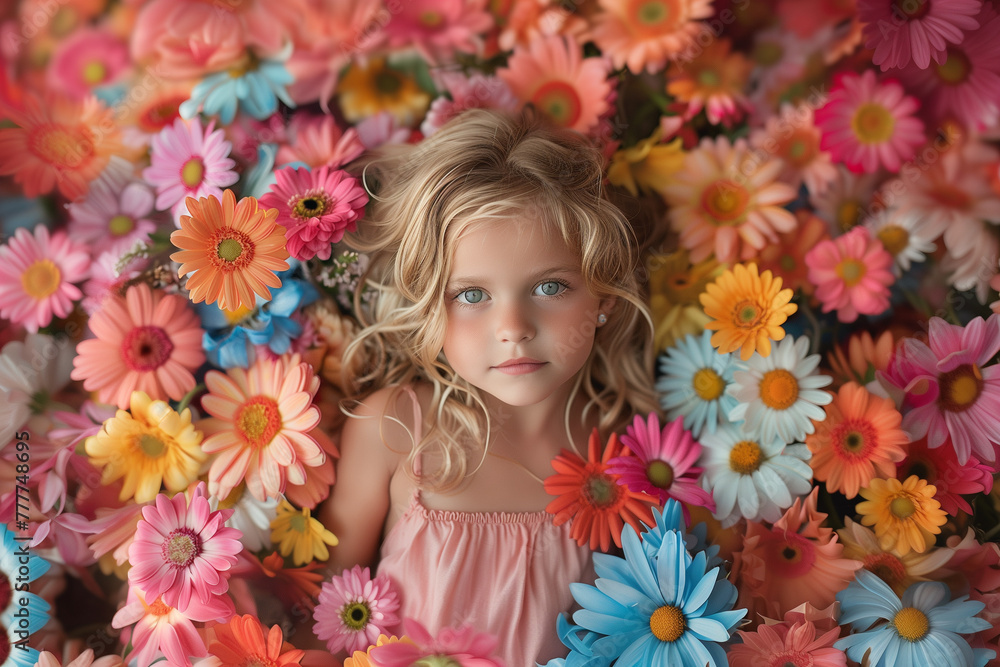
[[503, 573]]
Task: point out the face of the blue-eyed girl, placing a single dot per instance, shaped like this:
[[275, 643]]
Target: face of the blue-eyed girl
[[521, 321]]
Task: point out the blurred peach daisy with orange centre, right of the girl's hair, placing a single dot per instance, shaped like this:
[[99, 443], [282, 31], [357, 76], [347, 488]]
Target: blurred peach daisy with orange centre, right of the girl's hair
[[727, 200]]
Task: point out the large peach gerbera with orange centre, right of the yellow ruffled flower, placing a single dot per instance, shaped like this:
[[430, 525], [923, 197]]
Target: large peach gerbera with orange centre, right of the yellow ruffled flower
[[259, 430]]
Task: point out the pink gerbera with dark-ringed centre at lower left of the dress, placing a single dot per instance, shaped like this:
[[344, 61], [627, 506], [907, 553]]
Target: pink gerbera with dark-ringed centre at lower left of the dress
[[354, 610]]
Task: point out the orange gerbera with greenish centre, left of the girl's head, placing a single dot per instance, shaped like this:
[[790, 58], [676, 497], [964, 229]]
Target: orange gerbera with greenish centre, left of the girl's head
[[232, 250]]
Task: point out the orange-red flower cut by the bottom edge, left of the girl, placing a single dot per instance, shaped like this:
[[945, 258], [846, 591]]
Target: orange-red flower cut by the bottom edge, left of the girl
[[242, 641]]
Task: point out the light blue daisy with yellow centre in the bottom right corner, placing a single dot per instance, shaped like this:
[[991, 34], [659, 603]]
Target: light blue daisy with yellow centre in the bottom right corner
[[921, 629]]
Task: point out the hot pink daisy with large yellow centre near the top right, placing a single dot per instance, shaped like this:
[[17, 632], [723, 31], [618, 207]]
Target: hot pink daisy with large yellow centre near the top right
[[867, 124]]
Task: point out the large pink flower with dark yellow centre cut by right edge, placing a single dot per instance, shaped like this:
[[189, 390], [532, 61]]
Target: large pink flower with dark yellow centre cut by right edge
[[949, 387]]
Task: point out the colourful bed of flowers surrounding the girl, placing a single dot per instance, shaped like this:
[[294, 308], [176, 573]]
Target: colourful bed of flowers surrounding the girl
[[817, 188]]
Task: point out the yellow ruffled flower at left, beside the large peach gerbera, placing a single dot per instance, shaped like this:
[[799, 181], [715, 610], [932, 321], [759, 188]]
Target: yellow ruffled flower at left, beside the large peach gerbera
[[150, 446]]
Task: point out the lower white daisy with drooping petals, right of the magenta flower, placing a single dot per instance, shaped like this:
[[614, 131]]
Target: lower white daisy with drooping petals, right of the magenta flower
[[753, 479]]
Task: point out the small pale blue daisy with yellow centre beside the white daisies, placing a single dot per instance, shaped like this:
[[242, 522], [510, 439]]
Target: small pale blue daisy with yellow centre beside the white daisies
[[693, 382]]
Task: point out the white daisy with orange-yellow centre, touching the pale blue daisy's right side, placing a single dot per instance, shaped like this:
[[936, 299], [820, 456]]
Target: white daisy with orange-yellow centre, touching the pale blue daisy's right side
[[779, 395]]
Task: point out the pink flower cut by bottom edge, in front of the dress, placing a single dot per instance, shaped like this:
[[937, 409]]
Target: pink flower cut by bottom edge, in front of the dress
[[463, 647]]
